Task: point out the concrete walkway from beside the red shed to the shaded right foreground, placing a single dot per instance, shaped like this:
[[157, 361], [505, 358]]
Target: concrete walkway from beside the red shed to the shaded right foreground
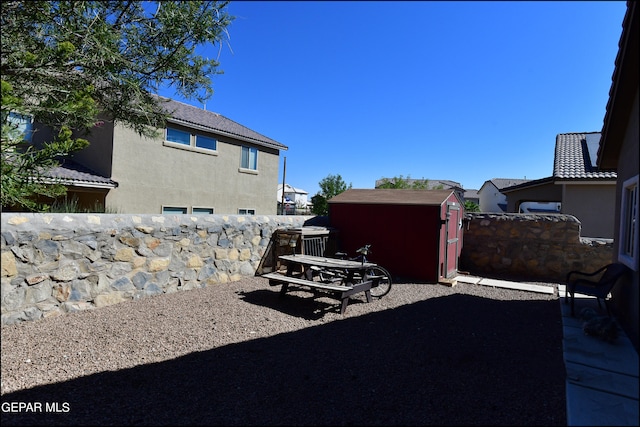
[[601, 377]]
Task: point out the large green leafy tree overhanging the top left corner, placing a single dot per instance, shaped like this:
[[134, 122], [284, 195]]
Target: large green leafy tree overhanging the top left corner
[[65, 62]]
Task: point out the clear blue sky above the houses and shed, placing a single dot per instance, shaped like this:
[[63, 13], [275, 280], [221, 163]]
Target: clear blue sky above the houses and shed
[[463, 91]]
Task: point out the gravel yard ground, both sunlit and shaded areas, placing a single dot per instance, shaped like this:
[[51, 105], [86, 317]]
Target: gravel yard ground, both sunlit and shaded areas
[[239, 354]]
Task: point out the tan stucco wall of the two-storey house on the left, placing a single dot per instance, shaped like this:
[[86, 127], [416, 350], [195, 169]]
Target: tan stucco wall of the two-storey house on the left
[[152, 175]]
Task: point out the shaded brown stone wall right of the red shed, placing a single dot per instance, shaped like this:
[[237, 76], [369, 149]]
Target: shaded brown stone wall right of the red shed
[[541, 247]]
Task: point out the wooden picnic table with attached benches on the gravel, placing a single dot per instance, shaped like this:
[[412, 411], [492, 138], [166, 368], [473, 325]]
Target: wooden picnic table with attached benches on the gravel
[[301, 269]]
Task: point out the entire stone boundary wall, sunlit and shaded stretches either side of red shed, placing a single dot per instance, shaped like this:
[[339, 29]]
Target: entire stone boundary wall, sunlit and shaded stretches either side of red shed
[[59, 263]]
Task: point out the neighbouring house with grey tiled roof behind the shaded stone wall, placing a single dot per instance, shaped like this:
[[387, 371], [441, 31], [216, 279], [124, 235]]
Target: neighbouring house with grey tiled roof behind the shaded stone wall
[[578, 185]]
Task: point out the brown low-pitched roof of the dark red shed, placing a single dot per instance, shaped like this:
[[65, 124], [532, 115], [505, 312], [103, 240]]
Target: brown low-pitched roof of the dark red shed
[[391, 196]]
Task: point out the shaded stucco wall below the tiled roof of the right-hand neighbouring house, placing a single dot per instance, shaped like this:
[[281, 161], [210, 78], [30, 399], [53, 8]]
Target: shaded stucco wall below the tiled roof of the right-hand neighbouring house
[[593, 205]]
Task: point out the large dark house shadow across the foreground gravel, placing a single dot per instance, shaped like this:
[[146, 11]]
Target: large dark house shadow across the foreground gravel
[[454, 360]]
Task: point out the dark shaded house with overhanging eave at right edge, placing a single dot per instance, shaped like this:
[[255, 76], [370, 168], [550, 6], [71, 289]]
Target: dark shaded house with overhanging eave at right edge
[[619, 150]]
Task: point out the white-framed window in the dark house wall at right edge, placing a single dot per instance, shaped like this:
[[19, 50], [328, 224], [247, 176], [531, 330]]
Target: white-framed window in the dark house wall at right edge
[[628, 237]]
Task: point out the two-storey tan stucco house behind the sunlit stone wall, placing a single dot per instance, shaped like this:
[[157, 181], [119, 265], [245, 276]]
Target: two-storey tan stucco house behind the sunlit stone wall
[[203, 163]]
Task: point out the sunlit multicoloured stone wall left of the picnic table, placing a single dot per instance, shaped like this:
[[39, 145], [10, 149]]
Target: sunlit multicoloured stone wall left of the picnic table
[[59, 263]]
